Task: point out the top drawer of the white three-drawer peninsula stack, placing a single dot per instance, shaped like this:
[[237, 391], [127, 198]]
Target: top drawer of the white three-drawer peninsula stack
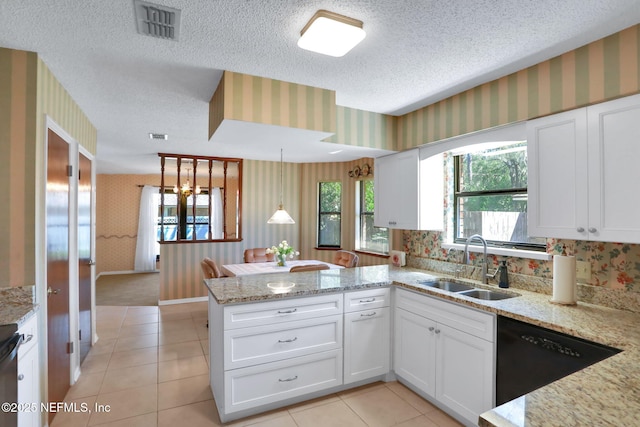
[[263, 313]]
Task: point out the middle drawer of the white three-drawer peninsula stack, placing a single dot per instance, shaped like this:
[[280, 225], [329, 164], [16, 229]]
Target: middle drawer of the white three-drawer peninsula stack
[[262, 344]]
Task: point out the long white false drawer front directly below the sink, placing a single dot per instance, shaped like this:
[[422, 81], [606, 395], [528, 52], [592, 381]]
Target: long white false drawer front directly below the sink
[[465, 319]]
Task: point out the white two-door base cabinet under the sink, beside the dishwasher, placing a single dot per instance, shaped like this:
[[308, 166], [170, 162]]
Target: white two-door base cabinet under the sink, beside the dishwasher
[[451, 366]]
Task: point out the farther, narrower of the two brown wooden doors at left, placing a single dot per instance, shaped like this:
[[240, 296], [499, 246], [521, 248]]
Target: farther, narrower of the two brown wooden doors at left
[[85, 260]]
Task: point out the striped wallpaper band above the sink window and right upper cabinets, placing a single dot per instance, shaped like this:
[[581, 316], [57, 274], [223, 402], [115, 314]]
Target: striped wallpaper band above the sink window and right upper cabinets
[[605, 69]]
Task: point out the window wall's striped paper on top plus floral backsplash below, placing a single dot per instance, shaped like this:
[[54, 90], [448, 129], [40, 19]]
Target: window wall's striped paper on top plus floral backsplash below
[[602, 70]]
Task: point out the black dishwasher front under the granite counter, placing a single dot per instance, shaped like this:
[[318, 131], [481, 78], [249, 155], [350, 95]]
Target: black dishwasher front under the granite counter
[[529, 357]]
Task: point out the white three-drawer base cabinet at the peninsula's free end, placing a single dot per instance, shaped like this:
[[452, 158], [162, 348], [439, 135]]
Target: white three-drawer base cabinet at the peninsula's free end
[[268, 354]]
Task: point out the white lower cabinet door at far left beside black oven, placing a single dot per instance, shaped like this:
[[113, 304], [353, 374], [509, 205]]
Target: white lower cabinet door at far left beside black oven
[[29, 388]]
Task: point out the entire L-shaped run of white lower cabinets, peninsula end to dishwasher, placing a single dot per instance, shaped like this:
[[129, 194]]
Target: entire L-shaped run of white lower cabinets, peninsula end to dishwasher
[[270, 354]]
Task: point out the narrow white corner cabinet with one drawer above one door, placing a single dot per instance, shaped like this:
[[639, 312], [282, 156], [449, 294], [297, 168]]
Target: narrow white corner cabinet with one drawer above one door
[[366, 335]]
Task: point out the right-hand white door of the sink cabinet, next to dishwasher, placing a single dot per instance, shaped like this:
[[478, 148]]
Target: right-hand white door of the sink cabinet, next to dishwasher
[[465, 375]]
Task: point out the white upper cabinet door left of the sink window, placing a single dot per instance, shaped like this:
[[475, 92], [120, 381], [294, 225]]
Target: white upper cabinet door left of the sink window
[[396, 190]]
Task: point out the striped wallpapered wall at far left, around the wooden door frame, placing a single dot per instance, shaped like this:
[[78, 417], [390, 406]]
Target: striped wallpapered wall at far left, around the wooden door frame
[[28, 92]]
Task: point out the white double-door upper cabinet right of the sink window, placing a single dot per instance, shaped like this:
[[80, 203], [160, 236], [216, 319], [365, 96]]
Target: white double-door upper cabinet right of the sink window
[[582, 172]]
